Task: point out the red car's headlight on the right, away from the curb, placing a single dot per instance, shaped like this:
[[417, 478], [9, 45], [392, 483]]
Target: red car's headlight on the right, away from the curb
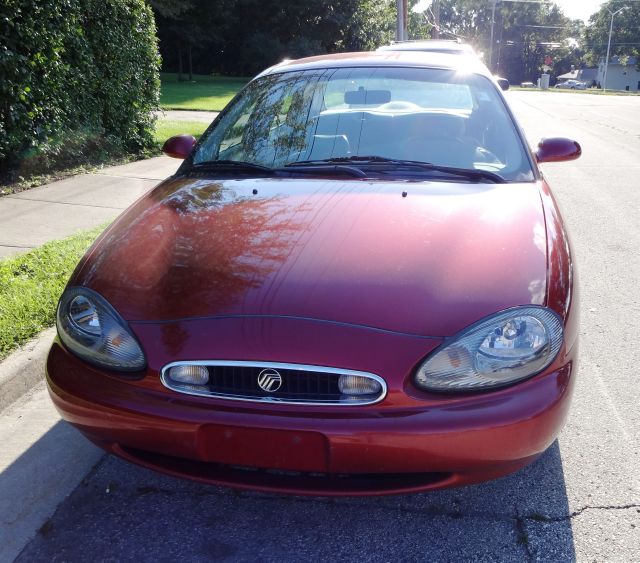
[[500, 350]]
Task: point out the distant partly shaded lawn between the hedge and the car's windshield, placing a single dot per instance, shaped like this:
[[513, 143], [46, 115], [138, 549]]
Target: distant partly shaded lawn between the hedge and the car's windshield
[[208, 93]]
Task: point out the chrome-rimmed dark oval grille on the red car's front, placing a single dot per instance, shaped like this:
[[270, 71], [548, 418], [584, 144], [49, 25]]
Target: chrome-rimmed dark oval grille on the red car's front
[[299, 384]]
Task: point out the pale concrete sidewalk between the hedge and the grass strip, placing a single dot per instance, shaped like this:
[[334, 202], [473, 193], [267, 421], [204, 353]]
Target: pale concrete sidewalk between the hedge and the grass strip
[[54, 211]]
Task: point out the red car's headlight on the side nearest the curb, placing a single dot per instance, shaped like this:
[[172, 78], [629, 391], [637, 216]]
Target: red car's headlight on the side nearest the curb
[[90, 328]]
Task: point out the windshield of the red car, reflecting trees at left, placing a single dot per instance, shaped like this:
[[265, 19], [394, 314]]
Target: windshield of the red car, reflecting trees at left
[[441, 117]]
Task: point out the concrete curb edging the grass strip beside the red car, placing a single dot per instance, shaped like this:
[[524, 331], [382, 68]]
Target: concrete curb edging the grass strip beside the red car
[[24, 368]]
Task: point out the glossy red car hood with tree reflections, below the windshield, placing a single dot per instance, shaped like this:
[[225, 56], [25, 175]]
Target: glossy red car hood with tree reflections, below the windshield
[[424, 258]]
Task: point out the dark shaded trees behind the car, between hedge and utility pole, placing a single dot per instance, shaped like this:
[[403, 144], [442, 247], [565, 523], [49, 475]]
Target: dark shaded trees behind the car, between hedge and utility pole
[[242, 37]]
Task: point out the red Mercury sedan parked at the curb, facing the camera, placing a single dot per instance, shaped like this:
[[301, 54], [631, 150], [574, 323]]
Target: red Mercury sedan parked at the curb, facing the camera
[[358, 282]]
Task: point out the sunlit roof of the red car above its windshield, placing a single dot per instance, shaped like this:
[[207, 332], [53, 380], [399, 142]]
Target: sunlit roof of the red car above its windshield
[[419, 59]]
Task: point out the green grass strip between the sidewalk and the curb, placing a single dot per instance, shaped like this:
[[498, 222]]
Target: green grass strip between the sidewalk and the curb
[[31, 284]]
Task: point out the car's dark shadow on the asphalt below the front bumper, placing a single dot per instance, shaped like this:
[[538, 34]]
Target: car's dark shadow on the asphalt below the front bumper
[[123, 512]]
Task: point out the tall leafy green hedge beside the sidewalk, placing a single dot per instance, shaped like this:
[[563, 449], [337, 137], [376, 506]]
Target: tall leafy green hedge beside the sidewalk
[[75, 75]]
